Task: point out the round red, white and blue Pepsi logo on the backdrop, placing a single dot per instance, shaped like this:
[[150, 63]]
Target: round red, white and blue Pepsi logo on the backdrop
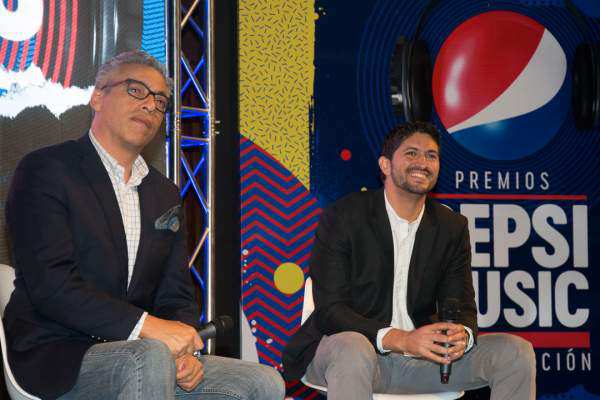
[[499, 85]]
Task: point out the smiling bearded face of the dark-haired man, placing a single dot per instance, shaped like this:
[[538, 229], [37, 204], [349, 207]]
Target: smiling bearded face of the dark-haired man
[[414, 166]]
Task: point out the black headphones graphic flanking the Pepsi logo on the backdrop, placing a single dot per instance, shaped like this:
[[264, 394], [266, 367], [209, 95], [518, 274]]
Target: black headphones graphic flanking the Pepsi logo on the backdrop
[[411, 74]]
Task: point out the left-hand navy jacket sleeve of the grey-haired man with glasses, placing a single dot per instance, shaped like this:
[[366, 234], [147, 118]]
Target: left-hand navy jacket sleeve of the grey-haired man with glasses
[[46, 257]]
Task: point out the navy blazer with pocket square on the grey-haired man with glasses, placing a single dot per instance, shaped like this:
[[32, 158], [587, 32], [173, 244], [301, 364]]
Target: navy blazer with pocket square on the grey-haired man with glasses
[[70, 257]]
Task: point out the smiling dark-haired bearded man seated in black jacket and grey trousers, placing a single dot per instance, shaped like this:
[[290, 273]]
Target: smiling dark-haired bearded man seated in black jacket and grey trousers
[[383, 264]]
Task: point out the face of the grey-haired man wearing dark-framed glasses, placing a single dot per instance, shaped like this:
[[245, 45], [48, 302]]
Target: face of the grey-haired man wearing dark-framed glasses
[[131, 123]]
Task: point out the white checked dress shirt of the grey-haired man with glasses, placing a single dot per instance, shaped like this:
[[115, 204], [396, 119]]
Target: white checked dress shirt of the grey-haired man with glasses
[[129, 205]]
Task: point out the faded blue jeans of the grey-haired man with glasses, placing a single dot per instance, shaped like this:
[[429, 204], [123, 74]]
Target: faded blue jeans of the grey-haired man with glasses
[[145, 370]]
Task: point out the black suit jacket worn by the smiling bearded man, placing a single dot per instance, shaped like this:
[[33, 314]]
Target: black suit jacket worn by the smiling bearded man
[[352, 267]]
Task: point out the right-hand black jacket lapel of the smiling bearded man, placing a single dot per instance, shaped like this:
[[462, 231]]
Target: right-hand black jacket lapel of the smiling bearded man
[[422, 248]]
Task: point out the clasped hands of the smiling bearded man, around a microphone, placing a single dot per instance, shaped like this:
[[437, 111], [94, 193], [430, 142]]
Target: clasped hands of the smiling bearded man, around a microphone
[[426, 342]]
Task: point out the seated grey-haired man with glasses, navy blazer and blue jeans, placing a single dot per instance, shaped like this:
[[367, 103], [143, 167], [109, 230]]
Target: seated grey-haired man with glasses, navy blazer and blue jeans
[[103, 305]]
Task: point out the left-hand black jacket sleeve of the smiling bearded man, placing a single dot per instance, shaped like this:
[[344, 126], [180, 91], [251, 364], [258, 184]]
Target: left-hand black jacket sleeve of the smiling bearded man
[[330, 271]]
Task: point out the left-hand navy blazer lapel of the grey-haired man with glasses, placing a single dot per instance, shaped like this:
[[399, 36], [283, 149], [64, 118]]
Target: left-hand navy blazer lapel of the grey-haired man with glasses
[[93, 169]]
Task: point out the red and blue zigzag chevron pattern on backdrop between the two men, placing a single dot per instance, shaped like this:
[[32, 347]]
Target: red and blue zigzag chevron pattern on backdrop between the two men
[[278, 220]]
